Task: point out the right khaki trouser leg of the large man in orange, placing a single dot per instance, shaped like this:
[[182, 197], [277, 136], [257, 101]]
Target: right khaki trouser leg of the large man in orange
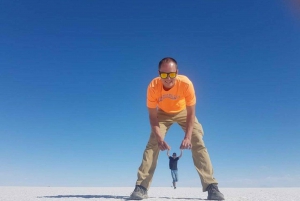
[[199, 152]]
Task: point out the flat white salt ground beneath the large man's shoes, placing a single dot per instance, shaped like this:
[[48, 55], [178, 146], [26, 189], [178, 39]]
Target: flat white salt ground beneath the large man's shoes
[[155, 194]]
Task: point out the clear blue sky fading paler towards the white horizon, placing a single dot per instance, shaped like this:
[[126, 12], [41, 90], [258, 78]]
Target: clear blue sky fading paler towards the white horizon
[[73, 79]]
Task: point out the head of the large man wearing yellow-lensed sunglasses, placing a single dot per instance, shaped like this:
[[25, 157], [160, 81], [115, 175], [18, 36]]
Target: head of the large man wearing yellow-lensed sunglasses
[[167, 69]]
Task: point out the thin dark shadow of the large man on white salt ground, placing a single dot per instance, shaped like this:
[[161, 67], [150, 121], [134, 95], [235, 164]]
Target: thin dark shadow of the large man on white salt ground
[[110, 196]]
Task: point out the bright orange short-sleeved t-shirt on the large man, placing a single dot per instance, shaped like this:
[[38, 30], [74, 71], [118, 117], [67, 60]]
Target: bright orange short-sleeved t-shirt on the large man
[[176, 99]]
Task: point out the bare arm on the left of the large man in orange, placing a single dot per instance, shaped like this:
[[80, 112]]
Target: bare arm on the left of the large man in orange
[[155, 129]]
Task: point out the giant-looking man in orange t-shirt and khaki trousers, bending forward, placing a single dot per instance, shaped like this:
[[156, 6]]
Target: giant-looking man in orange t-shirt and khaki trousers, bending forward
[[171, 99]]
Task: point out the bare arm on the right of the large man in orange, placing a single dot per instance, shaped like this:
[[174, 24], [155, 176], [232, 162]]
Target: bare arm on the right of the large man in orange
[[190, 119]]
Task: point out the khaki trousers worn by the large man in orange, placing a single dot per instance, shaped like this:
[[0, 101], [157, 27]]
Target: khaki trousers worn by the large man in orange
[[199, 153]]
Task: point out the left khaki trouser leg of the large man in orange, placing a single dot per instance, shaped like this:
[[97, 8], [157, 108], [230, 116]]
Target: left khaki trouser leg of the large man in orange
[[150, 156]]
